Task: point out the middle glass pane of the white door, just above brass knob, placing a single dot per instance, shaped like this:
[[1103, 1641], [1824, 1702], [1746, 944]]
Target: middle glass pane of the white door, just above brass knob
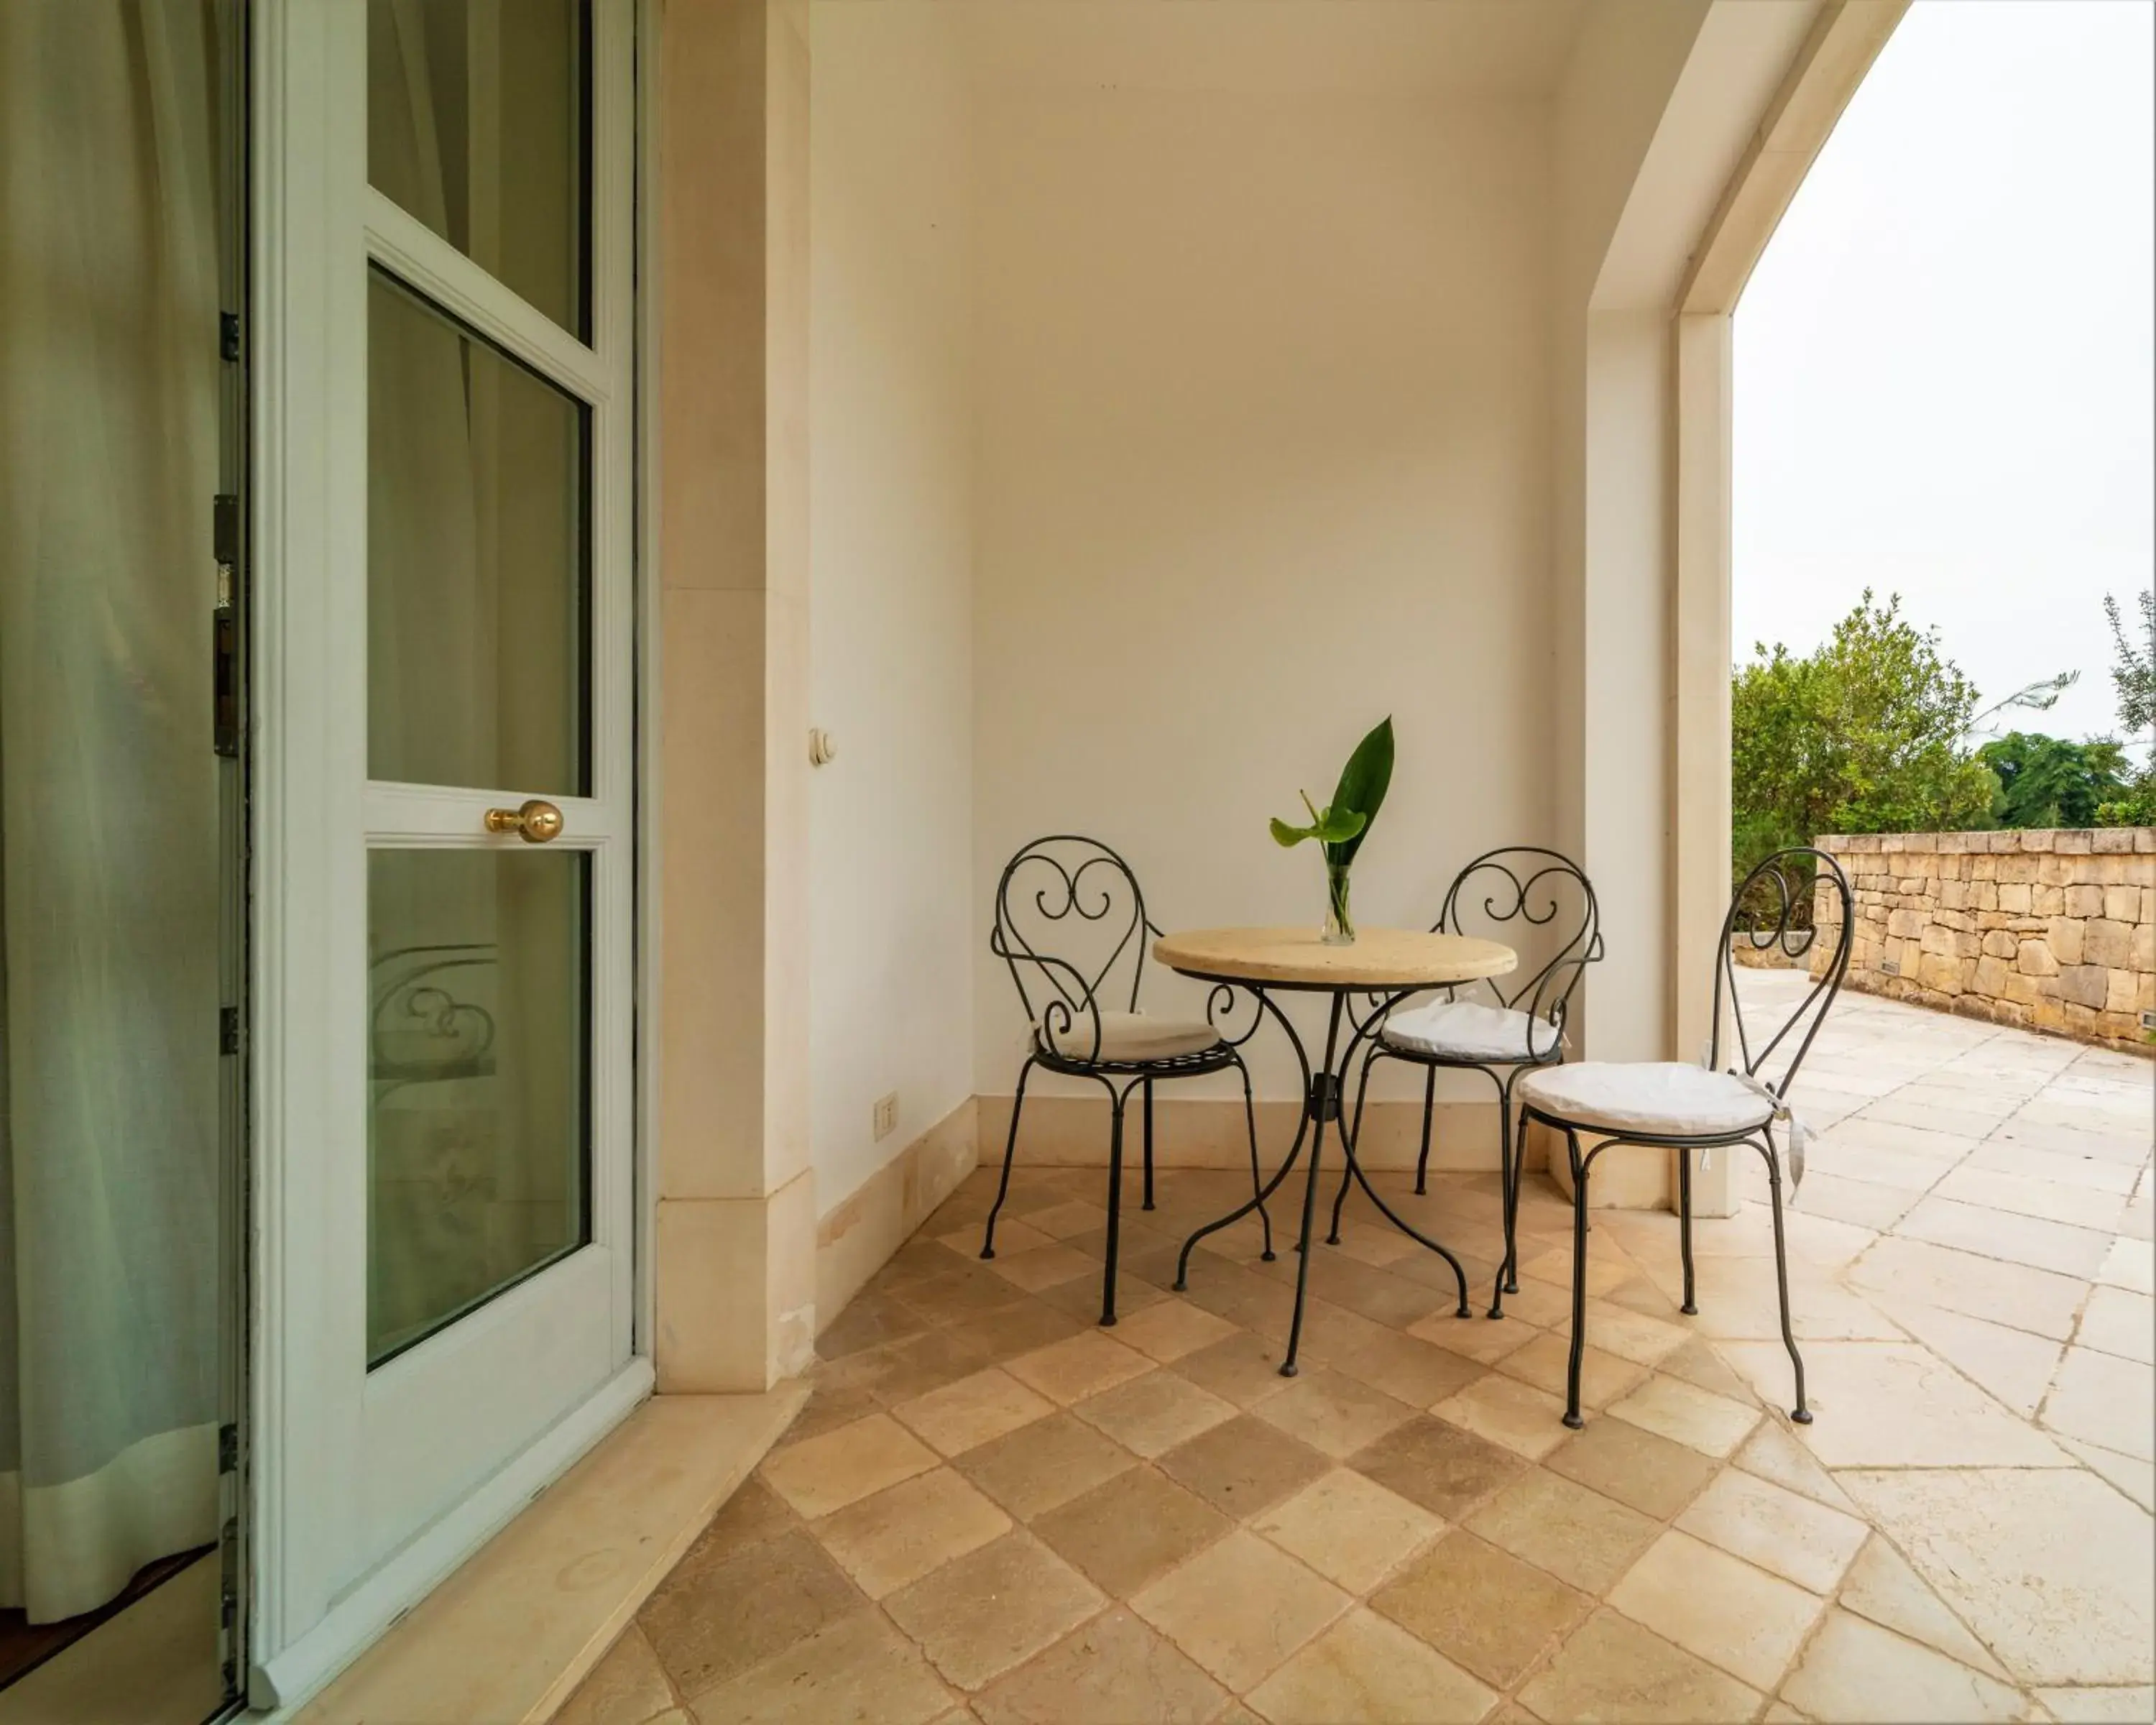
[[478, 560]]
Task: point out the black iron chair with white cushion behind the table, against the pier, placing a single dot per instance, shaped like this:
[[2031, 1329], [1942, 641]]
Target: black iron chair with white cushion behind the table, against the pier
[[1512, 1030]]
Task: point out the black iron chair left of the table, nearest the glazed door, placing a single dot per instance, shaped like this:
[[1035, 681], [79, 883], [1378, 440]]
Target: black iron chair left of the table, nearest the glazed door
[[1079, 896]]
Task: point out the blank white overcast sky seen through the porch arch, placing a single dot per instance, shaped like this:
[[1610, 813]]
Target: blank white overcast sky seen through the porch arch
[[1944, 363]]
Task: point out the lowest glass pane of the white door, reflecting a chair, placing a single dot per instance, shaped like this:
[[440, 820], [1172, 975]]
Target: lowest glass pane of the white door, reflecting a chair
[[480, 999]]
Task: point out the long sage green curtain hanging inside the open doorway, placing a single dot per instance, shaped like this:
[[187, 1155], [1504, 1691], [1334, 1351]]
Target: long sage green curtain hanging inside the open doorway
[[109, 797]]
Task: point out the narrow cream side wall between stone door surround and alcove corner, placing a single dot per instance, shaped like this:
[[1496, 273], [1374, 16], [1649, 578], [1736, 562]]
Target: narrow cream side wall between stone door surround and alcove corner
[[892, 583]]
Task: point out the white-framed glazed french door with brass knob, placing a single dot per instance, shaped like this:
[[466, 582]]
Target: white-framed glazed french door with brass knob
[[445, 810]]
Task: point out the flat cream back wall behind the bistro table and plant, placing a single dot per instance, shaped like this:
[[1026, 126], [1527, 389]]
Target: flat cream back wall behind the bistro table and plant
[[1264, 456]]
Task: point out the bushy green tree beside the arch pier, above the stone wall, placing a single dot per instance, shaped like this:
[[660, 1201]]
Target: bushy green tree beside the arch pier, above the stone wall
[[1862, 736]]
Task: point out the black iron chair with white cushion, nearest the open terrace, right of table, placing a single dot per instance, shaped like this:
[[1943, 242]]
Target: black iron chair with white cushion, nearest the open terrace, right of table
[[1696, 1109]]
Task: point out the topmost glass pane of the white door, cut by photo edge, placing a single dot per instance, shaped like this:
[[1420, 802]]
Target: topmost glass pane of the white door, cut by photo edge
[[480, 126]]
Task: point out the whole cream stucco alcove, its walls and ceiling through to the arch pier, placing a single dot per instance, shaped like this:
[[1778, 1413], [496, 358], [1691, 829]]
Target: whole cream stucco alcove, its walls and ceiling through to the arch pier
[[1174, 428]]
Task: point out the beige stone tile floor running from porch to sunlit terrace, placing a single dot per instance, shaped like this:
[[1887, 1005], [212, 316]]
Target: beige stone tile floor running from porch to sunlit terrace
[[997, 1513]]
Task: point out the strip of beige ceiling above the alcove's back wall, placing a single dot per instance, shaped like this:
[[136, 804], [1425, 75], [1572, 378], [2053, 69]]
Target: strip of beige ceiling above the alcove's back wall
[[1512, 49]]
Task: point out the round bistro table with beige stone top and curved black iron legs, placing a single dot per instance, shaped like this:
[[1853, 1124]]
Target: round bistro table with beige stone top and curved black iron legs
[[1383, 965]]
